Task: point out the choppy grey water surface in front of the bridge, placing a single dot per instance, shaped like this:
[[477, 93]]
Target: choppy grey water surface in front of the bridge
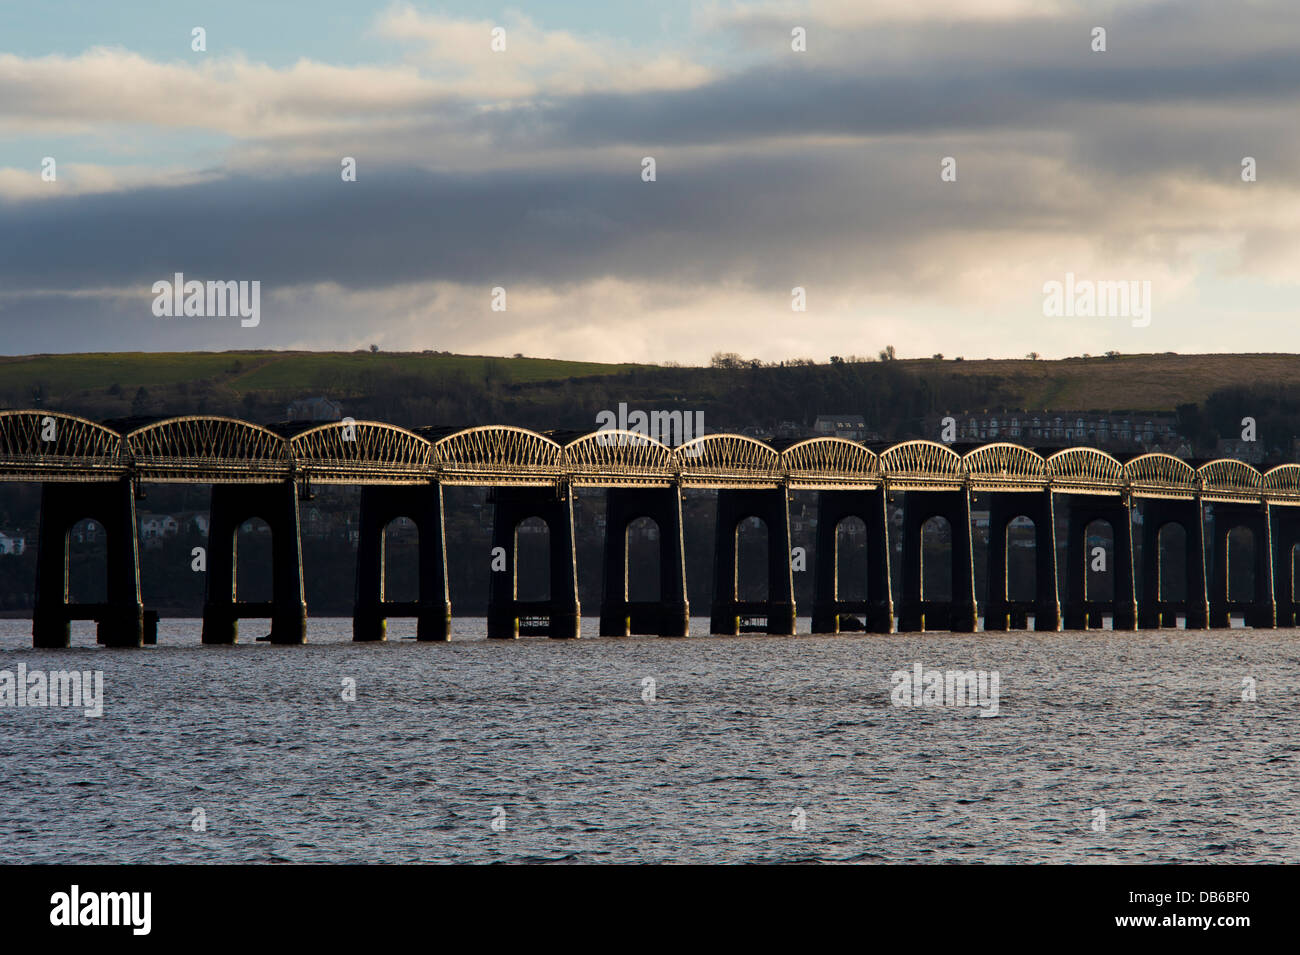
[[1150, 727]]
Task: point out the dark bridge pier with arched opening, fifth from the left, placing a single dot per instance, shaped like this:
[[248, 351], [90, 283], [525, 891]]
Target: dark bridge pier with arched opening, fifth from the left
[[670, 615]]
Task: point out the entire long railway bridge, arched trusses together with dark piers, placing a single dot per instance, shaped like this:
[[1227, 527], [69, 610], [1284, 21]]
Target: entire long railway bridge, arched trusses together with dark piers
[[94, 471]]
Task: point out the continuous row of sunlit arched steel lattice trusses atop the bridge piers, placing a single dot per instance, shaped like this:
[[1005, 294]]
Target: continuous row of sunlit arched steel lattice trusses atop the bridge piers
[[50, 446]]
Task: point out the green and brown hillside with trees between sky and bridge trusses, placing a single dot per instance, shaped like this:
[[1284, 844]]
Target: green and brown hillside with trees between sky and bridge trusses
[[896, 397]]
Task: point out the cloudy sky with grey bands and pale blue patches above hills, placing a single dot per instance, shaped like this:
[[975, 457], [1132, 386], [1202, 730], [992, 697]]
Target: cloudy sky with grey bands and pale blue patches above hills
[[921, 171]]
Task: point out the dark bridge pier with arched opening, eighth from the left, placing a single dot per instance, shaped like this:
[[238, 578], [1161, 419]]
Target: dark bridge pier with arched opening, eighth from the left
[[961, 613]]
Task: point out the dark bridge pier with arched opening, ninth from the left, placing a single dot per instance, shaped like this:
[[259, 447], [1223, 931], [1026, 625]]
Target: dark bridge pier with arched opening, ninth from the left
[[1002, 613]]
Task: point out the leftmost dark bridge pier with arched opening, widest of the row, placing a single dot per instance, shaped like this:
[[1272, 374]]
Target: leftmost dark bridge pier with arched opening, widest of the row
[[122, 618]]
